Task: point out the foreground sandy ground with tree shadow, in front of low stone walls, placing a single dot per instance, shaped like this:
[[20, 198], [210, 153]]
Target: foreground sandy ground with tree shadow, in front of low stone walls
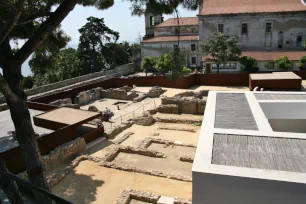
[[91, 183]]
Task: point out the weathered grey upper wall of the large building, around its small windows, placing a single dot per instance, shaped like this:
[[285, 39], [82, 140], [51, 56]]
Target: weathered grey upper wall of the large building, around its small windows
[[291, 24]]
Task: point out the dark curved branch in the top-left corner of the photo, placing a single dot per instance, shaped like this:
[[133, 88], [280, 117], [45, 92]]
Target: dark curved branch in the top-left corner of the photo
[[10, 24]]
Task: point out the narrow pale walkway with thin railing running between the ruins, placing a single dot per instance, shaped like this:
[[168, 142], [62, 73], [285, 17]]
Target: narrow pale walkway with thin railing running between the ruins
[[133, 114]]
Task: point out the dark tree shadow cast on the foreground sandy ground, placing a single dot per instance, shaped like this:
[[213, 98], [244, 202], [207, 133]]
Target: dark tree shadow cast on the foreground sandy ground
[[74, 185]]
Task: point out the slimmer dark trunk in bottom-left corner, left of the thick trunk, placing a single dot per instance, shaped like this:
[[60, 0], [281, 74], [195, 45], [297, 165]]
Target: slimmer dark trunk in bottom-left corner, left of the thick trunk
[[9, 187]]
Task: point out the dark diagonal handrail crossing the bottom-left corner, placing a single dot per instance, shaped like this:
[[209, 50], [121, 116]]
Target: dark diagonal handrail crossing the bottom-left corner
[[29, 187]]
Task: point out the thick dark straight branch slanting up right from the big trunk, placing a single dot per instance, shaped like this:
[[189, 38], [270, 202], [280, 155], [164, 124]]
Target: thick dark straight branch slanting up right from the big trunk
[[44, 30]]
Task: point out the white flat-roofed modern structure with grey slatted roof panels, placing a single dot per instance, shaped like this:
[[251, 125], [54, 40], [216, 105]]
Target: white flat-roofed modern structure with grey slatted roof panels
[[251, 149]]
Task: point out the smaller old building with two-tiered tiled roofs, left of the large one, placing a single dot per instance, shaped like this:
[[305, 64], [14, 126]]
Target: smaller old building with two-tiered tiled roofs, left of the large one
[[165, 36]]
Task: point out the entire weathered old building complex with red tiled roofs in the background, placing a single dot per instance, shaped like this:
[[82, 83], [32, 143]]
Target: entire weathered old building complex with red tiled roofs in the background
[[265, 29]]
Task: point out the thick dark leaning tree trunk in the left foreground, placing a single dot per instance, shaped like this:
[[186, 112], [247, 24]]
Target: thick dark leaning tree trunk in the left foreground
[[24, 131]]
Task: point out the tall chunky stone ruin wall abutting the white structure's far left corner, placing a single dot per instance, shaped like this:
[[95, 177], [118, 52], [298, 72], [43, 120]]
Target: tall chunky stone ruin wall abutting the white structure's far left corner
[[187, 102]]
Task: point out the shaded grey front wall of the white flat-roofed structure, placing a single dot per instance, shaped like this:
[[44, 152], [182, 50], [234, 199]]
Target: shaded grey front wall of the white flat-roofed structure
[[222, 189]]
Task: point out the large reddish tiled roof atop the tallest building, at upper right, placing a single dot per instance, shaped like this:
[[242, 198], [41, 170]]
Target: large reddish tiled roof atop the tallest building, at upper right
[[214, 7]]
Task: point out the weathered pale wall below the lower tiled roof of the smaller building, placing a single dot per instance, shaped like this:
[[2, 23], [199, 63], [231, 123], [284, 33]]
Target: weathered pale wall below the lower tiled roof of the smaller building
[[158, 49]]
